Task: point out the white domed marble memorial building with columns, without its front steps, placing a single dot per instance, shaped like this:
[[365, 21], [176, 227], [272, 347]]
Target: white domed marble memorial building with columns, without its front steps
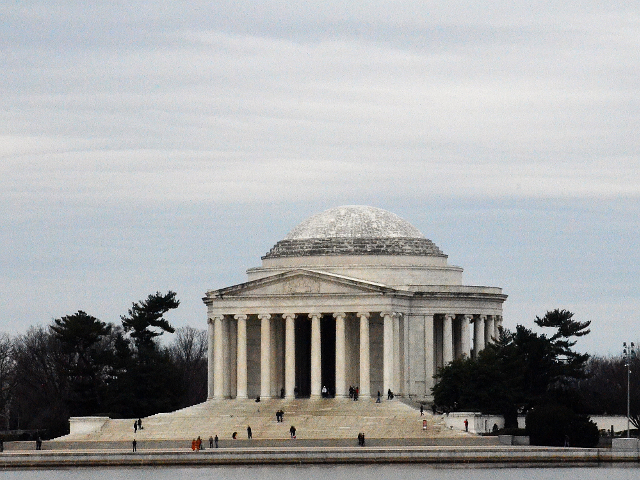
[[353, 296]]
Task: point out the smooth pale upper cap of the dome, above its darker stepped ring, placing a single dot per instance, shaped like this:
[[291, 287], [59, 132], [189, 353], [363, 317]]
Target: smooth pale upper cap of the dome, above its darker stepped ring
[[354, 221]]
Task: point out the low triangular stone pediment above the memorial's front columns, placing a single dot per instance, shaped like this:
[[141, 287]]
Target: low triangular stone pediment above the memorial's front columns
[[302, 282]]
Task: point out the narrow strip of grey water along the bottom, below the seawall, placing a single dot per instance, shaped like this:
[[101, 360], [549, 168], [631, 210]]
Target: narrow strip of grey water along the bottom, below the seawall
[[329, 472]]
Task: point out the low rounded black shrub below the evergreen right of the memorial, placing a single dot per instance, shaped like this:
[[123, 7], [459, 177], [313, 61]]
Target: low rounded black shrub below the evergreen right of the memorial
[[551, 425]]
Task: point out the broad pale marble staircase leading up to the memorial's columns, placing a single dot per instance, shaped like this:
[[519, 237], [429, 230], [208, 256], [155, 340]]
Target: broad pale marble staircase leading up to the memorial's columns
[[313, 419]]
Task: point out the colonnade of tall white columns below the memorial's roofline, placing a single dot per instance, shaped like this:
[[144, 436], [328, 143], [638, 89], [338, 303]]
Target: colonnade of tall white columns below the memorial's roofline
[[354, 365]]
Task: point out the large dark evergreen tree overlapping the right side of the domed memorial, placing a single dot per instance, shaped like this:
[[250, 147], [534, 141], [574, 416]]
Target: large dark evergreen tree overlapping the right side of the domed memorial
[[520, 370]]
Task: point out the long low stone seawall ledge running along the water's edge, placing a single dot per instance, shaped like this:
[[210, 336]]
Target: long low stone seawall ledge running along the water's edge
[[470, 456]]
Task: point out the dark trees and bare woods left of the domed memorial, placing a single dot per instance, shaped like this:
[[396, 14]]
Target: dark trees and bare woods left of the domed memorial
[[81, 366]]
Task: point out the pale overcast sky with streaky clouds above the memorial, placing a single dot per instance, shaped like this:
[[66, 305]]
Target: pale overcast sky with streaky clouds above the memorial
[[148, 146]]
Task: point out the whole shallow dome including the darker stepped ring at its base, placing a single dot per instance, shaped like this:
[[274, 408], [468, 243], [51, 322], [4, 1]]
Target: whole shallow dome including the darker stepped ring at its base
[[354, 230]]
